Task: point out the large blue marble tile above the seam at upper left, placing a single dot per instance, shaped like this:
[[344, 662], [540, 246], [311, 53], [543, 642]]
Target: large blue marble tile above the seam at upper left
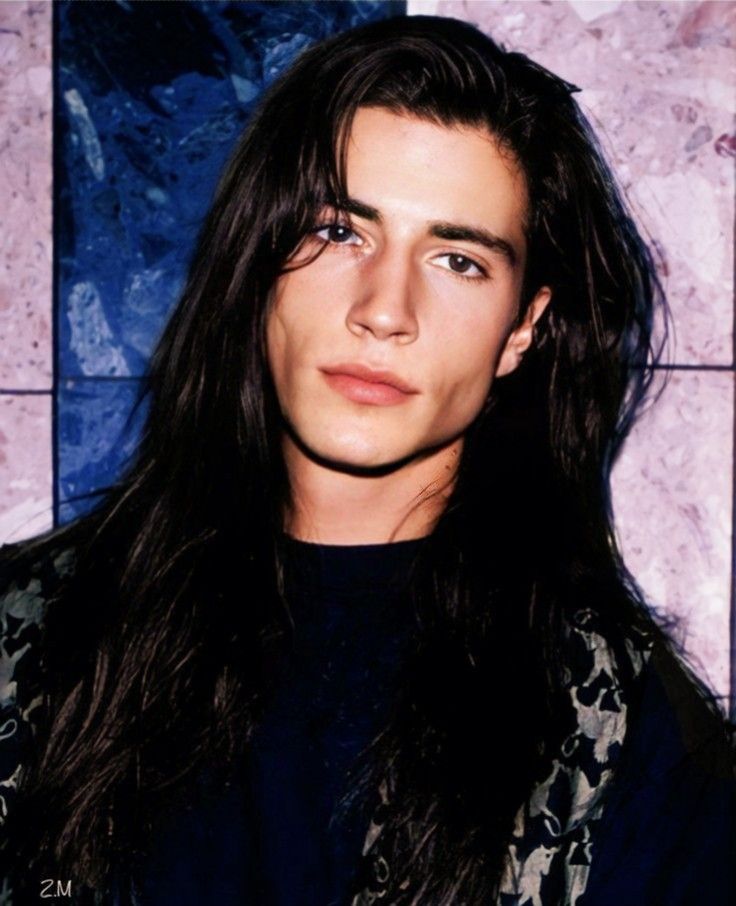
[[151, 98]]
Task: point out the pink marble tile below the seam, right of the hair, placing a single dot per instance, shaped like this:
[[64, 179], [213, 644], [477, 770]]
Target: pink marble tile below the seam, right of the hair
[[672, 499]]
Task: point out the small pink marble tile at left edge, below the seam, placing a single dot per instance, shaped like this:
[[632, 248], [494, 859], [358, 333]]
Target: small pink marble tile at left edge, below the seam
[[25, 465]]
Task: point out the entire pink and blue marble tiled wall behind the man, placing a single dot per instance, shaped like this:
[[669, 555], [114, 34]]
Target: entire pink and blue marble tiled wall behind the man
[[132, 181]]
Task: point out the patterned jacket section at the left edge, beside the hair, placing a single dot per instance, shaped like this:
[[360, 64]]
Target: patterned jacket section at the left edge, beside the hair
[[30, 573]]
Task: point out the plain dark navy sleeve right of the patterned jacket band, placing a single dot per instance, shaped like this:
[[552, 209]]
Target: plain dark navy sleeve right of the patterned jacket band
[[669, 833]]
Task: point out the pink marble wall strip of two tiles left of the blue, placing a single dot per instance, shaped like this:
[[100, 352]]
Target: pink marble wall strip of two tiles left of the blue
[[25, 269]]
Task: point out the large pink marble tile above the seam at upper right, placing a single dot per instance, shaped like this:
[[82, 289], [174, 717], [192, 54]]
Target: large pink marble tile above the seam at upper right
[[658, 84]]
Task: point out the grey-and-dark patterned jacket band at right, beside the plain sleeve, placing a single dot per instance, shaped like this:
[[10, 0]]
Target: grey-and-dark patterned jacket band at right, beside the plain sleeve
[[549, 859]]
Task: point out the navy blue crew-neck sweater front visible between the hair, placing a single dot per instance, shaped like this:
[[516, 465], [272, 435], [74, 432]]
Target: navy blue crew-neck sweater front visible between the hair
[[268, 838]]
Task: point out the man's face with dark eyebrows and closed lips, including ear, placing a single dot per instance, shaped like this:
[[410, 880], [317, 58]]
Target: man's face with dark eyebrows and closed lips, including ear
[[424, 284]]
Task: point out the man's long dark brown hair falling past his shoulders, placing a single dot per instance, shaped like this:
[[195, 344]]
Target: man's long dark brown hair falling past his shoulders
[[157, 648]]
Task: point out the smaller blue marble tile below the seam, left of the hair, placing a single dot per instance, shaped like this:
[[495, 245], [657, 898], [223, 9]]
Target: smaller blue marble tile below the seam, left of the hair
[[98, 431]]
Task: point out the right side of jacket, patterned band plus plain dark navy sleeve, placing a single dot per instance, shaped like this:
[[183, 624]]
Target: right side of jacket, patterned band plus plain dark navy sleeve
[[640, 803]]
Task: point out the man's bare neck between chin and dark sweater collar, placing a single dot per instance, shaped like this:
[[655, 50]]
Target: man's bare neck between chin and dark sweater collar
[[329, 506]]
